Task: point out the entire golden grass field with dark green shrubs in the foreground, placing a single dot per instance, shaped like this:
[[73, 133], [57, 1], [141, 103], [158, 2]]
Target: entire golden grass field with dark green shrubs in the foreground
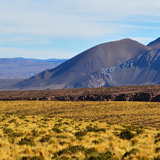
[[45, 130]]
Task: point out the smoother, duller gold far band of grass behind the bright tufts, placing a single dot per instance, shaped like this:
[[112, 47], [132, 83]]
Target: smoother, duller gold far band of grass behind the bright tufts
[[137, 113]]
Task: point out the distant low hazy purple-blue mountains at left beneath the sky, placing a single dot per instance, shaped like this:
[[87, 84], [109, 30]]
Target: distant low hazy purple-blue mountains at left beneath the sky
[[21, 68]]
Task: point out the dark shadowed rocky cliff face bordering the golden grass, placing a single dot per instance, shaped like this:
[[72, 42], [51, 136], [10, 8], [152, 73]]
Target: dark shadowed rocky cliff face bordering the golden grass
[[151, 97]]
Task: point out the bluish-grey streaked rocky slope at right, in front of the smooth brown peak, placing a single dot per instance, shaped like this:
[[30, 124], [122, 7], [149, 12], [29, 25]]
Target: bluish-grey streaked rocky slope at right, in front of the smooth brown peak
[[142, 69]]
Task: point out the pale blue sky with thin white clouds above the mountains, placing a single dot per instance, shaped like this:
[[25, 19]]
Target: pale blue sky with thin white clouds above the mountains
[[46, 29]]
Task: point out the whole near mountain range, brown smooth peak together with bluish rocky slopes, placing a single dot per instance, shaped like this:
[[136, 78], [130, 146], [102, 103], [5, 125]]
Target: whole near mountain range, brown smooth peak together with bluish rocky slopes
[[117, 63]]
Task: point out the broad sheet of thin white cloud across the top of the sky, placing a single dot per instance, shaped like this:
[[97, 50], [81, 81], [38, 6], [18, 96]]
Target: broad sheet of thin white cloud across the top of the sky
[[71, 17]]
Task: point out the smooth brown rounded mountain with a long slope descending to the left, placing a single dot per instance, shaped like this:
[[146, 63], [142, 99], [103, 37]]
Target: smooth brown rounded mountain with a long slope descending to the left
[[71, 72]]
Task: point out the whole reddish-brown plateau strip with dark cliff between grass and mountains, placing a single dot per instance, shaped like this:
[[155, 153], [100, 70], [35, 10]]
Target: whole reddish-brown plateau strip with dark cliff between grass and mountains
[[128, 93]]
